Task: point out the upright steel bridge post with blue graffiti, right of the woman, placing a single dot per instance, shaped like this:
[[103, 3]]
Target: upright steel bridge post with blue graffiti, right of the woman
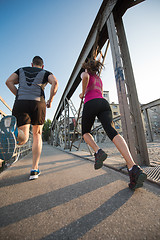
[[128, 100]]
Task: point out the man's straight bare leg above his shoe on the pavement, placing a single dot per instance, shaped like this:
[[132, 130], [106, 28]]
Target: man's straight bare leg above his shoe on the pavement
[[37, 145]]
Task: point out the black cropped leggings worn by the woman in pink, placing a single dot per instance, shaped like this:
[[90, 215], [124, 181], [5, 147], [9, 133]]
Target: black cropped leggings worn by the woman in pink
[[98, 107]]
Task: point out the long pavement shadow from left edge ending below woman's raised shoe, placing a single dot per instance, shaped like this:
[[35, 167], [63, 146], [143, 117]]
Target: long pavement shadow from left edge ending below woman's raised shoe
[[30, 207]]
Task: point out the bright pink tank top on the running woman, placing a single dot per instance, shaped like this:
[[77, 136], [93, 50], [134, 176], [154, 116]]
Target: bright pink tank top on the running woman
[[94, 88]]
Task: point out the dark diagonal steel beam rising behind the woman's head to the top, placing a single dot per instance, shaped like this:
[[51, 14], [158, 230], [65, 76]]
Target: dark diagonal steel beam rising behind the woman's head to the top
[[104, 12]]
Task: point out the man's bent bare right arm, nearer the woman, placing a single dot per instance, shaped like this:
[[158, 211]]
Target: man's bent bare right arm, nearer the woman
[[54, 82]]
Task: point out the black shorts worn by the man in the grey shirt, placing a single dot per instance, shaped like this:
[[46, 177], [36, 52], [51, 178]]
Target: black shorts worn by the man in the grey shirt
[[29, 112]]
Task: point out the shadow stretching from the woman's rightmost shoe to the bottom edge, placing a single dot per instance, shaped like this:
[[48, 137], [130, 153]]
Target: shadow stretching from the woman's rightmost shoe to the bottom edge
[[81, 226]]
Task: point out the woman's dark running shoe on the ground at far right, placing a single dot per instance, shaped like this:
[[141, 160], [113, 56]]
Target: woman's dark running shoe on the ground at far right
[[137, 177]]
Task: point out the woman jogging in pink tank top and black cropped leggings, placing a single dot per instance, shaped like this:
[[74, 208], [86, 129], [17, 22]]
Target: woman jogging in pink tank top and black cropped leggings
[[96, 106]]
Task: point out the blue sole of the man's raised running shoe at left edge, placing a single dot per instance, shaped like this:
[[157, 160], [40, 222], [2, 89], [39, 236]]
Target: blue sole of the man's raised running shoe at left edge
[[7, 137]]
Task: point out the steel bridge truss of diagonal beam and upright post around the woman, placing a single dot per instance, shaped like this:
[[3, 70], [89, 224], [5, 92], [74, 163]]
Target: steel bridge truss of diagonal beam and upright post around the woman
[[109, 26]]
